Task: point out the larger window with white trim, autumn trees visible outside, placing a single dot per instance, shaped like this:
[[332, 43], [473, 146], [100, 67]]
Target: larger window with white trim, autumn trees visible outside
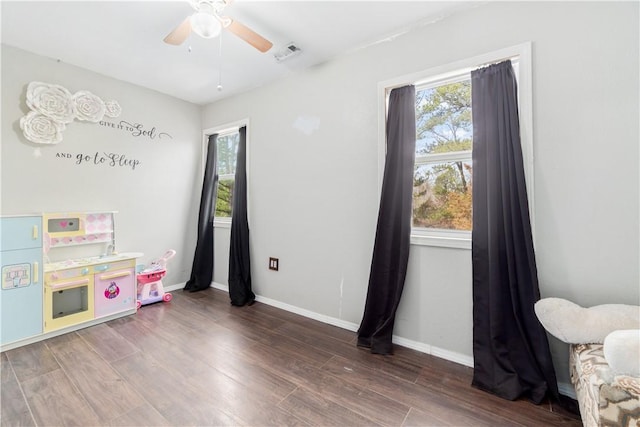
[[443, 173]]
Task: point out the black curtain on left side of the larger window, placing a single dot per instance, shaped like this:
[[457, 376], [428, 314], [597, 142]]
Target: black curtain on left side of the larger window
[[391, 247]]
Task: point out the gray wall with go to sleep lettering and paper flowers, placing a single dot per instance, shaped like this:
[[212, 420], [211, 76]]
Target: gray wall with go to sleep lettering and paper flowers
[[155, 200]]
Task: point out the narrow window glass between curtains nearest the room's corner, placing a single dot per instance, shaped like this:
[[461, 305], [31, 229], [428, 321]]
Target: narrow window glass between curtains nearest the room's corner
[[227, 148]]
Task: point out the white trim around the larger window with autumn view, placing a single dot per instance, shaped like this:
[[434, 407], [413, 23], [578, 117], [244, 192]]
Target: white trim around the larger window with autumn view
[[456, 238]]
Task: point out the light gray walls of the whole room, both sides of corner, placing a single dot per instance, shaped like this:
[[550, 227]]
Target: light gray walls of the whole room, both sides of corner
[[313, 197]]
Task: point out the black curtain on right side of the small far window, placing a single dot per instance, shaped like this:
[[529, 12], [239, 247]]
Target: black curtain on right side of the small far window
[[239, 261]]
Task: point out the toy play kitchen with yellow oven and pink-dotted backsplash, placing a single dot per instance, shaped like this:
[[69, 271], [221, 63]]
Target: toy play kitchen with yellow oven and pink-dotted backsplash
[[86, 281]]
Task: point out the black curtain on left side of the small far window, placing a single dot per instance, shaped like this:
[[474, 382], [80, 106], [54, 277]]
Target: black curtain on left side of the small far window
[[202, 269]]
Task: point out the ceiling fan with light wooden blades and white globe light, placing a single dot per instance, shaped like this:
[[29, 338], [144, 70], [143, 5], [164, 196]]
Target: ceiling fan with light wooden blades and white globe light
[[207, 22]]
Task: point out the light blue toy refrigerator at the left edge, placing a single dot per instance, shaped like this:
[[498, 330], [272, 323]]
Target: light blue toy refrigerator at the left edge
[[21, 264]]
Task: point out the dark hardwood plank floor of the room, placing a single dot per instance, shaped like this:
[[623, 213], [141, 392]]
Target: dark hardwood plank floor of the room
[[199, 361]]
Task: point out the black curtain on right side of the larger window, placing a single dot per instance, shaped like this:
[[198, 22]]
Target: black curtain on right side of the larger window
[[510, 348]]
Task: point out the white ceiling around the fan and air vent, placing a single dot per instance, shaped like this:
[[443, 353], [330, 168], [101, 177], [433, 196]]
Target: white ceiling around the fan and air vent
[[123, 39]]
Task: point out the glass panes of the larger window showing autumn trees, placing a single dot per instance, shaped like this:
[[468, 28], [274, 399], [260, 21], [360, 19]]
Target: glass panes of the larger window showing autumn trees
[[442, 177]]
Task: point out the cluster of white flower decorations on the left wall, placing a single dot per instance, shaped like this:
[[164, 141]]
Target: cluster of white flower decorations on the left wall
[[53, 107]]
